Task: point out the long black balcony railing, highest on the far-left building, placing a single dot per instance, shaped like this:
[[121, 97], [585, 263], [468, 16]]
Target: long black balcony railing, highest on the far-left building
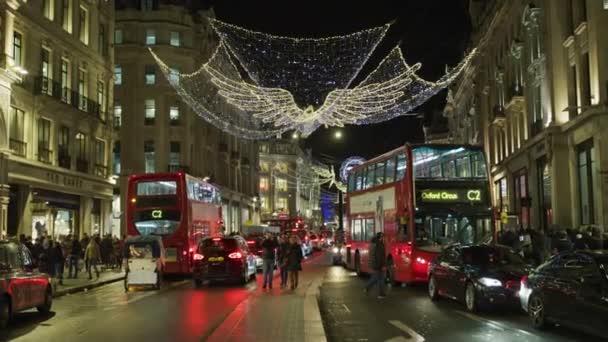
[[45, 86]]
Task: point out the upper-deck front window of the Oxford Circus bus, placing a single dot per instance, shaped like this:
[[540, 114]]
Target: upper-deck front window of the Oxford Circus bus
[[448, 163]]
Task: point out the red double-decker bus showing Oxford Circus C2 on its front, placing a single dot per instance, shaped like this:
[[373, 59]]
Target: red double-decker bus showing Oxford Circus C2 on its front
[[422, 197]]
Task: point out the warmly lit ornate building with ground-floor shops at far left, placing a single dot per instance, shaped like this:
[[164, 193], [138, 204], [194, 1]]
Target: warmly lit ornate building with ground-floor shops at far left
[[55, 85]]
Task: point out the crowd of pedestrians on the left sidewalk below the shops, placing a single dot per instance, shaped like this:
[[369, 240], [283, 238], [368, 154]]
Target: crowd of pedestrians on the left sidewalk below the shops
[[53, 256]]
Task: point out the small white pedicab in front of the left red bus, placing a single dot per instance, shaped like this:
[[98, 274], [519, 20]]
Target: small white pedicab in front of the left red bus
[[144, 259]]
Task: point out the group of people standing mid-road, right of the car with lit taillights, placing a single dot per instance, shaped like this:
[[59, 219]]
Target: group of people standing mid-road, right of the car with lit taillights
[[287, 254]]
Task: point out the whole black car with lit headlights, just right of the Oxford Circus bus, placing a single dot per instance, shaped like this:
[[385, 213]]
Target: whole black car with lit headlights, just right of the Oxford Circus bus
[[478, 275]]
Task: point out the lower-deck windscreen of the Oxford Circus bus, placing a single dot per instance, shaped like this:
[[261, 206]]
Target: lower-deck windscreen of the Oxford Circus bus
[[441, 230]]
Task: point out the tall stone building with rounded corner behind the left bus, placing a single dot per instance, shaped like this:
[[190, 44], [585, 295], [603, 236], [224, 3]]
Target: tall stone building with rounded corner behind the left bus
[[156, 131]]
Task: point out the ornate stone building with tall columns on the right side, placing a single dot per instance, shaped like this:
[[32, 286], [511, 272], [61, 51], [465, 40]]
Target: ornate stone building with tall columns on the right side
[[536, 96]]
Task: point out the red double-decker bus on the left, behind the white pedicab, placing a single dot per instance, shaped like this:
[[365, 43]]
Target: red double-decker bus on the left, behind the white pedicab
[[180, 208]]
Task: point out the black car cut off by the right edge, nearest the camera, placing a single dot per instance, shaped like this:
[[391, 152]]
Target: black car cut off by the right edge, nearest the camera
[[570, 289]]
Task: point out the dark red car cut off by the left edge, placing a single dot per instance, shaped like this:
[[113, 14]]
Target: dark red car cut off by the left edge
[[21, 286]]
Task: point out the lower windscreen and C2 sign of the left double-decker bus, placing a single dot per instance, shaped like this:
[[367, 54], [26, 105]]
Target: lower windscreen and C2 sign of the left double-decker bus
[[156, 221]]
